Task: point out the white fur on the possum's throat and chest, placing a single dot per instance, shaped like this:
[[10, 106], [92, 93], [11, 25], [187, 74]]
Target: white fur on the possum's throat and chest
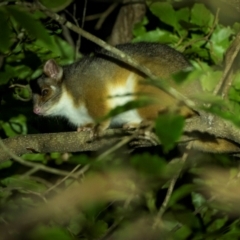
[[77, 116]]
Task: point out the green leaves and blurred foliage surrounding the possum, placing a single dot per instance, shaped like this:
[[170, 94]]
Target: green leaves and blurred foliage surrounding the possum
[[120, 191]]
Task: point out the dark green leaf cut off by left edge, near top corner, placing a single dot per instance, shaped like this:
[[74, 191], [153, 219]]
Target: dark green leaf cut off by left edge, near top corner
[[5, 32]]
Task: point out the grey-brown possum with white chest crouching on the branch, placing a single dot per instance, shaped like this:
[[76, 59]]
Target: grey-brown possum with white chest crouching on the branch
[[88, 89]]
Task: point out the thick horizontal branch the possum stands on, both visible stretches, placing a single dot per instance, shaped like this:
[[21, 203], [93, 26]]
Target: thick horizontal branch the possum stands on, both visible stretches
[[208, 133]]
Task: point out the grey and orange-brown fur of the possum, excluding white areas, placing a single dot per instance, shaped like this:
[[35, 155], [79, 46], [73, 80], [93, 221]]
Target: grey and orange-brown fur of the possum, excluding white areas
[[87, 82]]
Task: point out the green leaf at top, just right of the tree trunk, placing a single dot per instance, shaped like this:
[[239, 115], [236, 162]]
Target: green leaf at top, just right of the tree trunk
[[166, 13]]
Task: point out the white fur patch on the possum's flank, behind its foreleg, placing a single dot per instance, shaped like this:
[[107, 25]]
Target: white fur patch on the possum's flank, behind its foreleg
[[120, 95]]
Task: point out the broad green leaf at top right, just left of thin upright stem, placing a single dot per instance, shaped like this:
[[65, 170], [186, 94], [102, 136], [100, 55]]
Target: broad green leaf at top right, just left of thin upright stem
[[202, 17]]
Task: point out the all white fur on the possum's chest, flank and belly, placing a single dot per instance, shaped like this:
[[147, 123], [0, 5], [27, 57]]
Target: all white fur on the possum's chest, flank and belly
[[117, 96]]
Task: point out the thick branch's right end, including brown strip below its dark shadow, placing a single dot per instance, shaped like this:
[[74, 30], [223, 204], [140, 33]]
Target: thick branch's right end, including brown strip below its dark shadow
[[212, 134]]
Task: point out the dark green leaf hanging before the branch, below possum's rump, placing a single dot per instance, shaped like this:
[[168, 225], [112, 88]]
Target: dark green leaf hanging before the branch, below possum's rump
[[169, 129]]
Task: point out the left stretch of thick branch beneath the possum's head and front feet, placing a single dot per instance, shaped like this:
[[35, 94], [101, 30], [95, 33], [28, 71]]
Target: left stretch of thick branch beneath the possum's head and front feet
[[54, 142]]
